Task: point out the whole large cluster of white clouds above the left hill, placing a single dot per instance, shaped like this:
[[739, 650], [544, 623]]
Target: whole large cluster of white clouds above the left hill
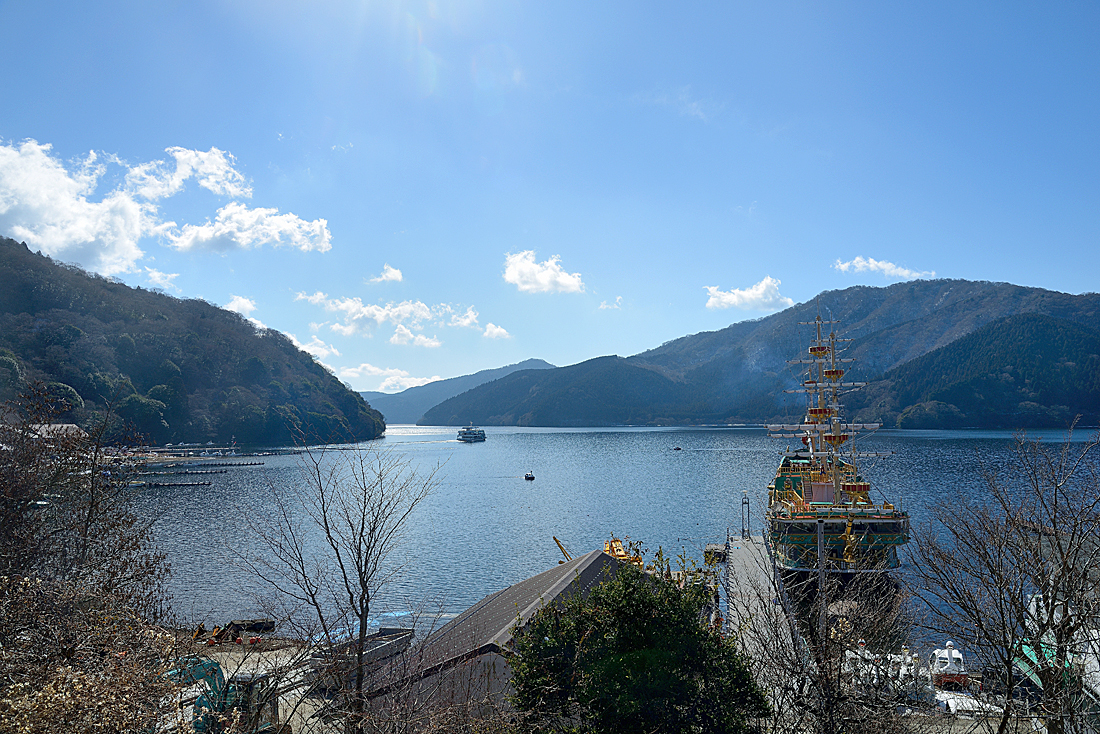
[[51, 205]]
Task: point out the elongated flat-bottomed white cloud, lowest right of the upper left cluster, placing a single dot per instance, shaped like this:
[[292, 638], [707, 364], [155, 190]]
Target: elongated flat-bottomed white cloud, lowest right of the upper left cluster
[[237, 226]]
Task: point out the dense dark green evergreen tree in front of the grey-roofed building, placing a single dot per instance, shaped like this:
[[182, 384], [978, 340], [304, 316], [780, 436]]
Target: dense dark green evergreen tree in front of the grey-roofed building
[[635, 655]]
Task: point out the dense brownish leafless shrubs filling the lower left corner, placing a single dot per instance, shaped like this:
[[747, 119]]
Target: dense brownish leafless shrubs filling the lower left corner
[[82, 582]]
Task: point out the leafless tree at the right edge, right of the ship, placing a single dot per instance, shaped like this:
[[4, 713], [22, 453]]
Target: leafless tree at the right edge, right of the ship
[[1014, 579]]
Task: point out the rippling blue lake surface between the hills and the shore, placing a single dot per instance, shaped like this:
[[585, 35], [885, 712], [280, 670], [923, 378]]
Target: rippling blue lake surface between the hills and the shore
[[486, 528]]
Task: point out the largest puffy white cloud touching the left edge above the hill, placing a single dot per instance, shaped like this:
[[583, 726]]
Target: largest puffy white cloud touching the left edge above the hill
[[47, 205]]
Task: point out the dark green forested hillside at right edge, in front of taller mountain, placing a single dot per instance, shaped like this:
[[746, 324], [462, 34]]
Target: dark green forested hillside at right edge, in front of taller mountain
[[1025, 371]]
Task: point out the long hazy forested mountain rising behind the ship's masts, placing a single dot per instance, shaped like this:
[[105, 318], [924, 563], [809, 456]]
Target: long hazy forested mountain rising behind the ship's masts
[[739, 375]]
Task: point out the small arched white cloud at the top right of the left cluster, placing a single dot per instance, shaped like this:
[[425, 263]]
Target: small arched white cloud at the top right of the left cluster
[[214, 170]]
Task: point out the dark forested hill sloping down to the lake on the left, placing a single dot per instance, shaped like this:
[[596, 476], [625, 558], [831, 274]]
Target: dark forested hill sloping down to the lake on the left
[[180, 370]]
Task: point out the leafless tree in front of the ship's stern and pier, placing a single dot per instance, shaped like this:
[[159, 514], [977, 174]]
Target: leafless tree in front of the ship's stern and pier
[[842, 671]]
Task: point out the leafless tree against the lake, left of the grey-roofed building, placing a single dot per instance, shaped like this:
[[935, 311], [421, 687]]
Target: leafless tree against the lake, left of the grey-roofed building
[[329, 550]]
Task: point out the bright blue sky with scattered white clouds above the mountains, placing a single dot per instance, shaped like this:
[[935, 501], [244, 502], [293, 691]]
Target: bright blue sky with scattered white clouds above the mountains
[[425, 190]]
